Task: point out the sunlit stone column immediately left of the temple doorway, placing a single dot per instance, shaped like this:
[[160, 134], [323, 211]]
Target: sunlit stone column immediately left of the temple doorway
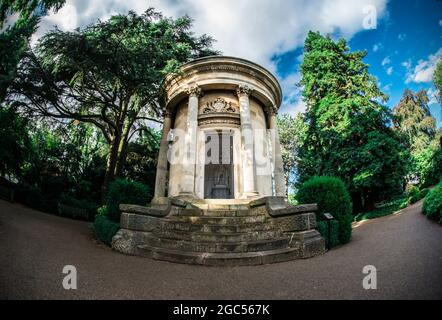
[[188, 178]]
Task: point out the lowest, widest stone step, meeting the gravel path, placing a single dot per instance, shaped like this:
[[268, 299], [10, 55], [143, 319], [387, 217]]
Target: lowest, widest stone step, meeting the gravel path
[[221, 259]]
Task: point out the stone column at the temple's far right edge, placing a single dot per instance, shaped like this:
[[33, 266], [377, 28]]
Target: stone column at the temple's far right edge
[[280, 188]]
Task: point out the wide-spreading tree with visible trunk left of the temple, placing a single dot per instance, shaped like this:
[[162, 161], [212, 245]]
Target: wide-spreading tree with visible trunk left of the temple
[[108, 74]]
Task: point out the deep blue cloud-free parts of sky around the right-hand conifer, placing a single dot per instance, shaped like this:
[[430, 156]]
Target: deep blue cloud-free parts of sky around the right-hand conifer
[[408, 36]]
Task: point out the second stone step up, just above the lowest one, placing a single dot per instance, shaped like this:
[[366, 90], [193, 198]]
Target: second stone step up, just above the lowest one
[[221, 247]]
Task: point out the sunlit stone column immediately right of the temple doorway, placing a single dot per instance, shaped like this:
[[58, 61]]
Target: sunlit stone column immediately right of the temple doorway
[[248, 158]]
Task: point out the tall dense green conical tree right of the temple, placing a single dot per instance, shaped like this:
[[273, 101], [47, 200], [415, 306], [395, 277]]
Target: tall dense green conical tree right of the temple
[[348, 131]]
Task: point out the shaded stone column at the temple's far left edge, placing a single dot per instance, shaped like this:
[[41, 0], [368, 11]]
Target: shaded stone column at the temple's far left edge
[[161, 176]]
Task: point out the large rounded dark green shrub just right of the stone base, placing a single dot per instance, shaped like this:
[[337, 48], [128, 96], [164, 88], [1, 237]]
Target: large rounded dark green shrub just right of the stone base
[[331, 196]]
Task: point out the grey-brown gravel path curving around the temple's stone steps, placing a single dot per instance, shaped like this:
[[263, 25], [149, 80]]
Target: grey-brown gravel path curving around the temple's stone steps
[[406, 249]]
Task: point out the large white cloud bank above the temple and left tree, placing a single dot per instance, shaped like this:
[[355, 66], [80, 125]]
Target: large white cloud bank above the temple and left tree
[[256, 30]]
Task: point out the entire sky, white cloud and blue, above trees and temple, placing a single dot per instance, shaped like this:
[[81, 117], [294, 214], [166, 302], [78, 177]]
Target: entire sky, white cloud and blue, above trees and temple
[[402, 49]]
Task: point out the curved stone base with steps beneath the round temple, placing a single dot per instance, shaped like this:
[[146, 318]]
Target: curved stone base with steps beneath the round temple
[[262, 231]]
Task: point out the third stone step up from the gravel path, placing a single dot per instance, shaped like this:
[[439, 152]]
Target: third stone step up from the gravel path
[[219, 237]]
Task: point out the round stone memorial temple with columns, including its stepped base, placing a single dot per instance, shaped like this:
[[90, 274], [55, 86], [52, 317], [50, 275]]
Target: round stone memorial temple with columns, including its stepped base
[[220, 194]]
